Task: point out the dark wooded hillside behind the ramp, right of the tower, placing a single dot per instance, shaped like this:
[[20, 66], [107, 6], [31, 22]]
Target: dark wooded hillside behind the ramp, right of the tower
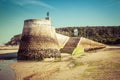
[[102, 34]]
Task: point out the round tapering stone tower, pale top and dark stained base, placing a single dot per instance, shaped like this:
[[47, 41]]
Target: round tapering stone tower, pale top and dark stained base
[[38, 40]]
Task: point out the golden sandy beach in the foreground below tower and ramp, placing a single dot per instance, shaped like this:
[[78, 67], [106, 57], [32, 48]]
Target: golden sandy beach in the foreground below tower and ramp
[[101, 64]]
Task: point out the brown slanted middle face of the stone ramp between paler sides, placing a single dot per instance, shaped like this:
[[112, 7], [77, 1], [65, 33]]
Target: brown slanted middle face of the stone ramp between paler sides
[[70, 45]]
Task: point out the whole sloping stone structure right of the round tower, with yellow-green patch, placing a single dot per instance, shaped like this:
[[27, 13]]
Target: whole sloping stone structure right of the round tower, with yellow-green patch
[[71, 44]]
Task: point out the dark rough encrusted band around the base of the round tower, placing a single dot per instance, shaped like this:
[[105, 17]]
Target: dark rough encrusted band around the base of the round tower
[[38, 54]]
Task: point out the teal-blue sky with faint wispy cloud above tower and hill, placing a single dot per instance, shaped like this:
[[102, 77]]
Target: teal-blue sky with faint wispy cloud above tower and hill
[[63, 13]]
